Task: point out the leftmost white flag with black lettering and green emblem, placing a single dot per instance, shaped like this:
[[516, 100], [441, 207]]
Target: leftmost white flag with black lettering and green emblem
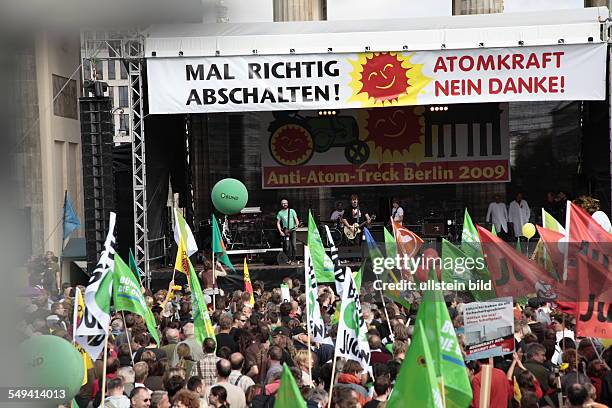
[[92, 330]]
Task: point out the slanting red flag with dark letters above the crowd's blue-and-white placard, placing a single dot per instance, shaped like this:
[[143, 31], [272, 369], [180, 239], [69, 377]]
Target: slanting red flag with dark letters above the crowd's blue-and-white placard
[[515, 275]]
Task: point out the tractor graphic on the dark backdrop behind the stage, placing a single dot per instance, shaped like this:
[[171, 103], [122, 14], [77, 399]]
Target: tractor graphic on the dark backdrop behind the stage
[[294, 138]]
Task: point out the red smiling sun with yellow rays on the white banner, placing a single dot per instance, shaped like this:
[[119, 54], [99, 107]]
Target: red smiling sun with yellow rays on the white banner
[[385, 79]]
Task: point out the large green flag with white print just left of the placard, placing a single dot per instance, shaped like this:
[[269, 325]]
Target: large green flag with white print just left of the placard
[[445, 350]]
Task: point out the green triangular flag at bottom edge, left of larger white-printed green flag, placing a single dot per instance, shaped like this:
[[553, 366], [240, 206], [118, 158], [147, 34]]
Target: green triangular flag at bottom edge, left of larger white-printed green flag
[[417, 382]]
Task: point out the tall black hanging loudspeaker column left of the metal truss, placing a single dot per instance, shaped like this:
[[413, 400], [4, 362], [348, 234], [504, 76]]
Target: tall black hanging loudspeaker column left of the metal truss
[[98, 180]]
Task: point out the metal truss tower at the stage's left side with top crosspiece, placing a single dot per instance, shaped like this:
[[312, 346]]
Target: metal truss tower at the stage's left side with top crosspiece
[[128, 46]]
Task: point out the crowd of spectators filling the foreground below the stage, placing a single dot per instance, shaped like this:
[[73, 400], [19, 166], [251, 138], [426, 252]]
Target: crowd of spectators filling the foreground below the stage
[[242, 366]]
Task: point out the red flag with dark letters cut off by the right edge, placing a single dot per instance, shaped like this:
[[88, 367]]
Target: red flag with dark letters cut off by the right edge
[[594, 315]]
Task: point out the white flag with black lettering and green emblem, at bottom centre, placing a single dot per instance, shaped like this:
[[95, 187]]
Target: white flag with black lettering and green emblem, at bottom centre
[[352, 340]]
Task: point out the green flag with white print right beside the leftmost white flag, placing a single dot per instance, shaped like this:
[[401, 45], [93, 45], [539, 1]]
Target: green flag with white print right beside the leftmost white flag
[[127, 295]]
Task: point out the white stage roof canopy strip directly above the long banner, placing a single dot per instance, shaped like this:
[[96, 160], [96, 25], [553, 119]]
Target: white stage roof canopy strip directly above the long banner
[[317, 37]]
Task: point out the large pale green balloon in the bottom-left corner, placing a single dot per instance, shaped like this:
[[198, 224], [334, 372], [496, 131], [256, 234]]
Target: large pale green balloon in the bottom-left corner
[[50, 362]]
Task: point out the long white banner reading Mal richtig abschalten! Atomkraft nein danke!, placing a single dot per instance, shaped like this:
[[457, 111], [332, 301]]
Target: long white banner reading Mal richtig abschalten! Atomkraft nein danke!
[[335, 81]]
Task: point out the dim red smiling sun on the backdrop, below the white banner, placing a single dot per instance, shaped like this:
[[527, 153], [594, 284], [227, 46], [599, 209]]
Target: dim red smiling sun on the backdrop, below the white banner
[[395, 134]]
